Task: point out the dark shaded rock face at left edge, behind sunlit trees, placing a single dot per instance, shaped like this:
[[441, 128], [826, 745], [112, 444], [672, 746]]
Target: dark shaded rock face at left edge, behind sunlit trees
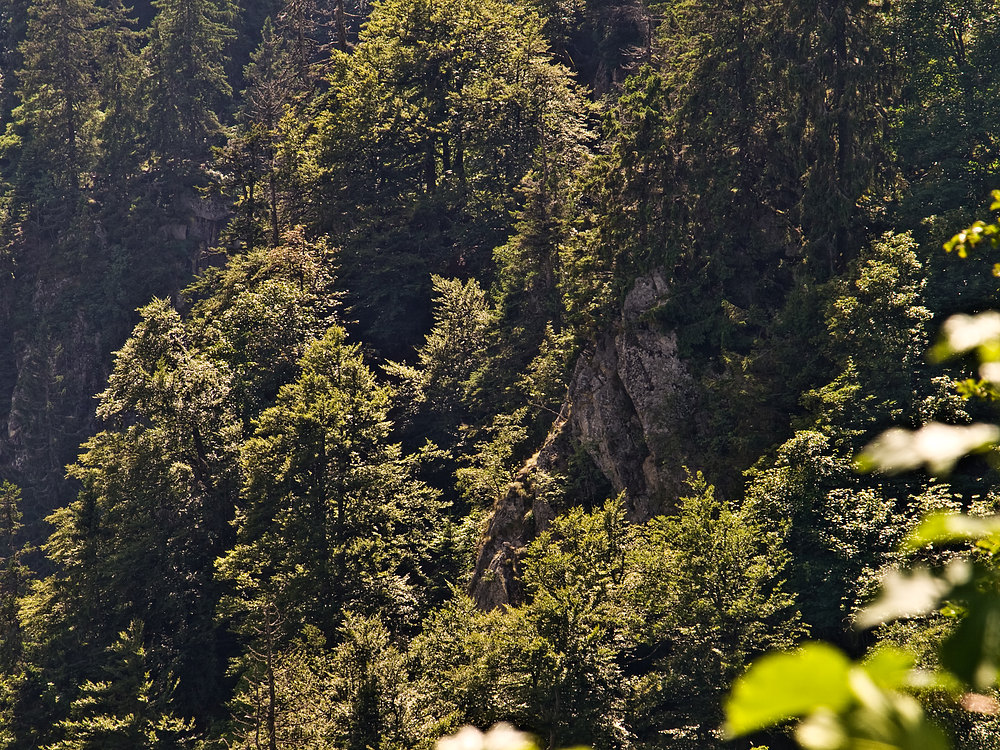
[[64, 308]]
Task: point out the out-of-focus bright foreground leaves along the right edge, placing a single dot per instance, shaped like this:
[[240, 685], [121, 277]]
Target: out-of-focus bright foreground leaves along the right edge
[[881, 707]]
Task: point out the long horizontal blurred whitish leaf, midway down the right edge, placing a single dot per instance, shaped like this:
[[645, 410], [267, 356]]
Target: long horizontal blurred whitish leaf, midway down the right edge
[[936, 446]]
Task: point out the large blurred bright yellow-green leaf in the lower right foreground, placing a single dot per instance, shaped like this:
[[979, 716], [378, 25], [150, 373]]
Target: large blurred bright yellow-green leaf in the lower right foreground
[[787, 685]]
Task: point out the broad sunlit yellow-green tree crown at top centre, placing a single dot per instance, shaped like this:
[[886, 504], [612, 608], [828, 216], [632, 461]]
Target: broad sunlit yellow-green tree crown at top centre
[[424, 109]]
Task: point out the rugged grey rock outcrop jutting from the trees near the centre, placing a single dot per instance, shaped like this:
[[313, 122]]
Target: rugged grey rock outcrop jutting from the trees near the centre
[[629, 408]]
